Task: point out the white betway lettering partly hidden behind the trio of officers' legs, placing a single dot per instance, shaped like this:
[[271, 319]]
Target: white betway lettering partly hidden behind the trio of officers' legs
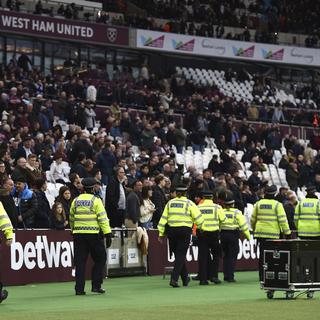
[[248, 249]]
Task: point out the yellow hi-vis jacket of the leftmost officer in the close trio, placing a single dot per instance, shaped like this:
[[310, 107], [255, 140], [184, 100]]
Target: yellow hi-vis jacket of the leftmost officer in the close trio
[[180, 212]]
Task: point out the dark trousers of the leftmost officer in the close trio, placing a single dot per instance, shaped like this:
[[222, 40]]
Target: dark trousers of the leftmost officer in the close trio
[[179, 240]]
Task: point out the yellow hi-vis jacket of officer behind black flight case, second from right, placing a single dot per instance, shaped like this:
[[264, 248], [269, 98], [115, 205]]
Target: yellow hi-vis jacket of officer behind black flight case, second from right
[[269, 219]]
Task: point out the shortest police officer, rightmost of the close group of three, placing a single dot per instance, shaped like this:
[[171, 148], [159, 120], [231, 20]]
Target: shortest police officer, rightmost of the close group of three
[[230, 233]]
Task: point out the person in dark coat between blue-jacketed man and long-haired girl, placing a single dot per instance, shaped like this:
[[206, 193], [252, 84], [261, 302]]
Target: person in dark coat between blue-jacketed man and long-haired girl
[[43, 214]]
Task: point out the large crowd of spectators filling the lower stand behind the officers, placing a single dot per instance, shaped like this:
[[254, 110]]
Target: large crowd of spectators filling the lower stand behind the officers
[[132, 153]]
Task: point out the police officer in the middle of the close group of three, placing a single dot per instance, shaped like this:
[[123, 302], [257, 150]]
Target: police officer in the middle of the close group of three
[[208, 238]]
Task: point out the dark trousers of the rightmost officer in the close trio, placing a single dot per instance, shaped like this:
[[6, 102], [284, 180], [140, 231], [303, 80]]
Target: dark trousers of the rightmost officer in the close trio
[[230, 247]]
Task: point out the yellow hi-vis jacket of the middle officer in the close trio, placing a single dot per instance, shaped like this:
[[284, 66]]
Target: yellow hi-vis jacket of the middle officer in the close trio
[[212, 214]]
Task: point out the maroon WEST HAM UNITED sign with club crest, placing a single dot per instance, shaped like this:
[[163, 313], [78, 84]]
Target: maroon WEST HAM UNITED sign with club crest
[[62, 29]]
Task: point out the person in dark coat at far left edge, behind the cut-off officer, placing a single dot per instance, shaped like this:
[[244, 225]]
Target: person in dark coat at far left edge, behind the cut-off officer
[[8, 202]]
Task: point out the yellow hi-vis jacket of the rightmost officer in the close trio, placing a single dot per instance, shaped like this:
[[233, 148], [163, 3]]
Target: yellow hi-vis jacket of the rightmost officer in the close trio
[[235, 221]]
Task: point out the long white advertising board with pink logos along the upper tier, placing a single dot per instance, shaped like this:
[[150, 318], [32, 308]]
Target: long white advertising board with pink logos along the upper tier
[[251, 51]]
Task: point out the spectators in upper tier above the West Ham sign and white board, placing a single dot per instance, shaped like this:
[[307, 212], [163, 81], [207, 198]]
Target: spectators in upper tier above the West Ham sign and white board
[[206, 18]]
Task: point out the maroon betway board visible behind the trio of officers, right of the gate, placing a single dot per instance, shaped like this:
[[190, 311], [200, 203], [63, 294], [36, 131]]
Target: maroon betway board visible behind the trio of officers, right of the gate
[[159, 256]]
